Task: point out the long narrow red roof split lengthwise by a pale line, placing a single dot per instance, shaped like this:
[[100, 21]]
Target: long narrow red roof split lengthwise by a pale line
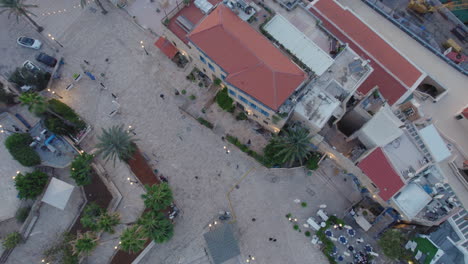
[[393, 73]]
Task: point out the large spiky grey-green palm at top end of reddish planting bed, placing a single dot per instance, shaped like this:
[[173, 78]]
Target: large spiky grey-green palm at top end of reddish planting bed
[[115, 143]]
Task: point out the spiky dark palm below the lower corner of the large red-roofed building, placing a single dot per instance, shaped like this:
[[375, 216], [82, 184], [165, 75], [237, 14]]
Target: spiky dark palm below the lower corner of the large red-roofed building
[[293, 146]]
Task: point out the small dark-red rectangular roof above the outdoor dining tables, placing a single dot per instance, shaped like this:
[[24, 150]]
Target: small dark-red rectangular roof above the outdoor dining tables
[[378, 168]]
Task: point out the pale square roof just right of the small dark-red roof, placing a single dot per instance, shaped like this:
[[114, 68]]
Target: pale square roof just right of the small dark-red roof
[[412, 200]]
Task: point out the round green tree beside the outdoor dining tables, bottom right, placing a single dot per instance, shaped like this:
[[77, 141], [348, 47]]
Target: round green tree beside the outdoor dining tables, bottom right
[[392, 243]]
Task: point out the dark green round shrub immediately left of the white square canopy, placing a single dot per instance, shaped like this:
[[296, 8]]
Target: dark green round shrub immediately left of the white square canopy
[[30, 185]]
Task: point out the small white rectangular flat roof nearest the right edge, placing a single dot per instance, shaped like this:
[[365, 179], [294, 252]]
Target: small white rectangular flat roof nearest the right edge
[[434, 142]]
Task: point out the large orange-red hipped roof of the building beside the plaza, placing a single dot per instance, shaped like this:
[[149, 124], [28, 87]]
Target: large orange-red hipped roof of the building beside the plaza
[[252, 63]]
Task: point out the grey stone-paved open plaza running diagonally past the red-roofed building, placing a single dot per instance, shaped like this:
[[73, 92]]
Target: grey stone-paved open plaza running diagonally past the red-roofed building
[[181, 149]]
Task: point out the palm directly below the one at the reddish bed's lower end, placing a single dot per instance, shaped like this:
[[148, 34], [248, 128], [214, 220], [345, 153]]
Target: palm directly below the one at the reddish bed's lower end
[[157, 226]]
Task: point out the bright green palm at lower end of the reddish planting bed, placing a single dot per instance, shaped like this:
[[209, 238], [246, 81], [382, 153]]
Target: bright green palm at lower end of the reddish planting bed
[[158, 196]]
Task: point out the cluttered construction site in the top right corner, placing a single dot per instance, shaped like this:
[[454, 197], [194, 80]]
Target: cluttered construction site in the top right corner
[[440, 24]]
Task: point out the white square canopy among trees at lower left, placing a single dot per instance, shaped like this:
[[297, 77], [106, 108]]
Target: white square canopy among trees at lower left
[[58, 193]]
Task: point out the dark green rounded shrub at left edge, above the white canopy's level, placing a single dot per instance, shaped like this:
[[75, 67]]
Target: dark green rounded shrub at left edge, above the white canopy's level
[[18, 146]]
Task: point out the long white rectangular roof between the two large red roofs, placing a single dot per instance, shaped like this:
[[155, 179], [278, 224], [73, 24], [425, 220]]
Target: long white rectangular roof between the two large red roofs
[[299, 44]]
